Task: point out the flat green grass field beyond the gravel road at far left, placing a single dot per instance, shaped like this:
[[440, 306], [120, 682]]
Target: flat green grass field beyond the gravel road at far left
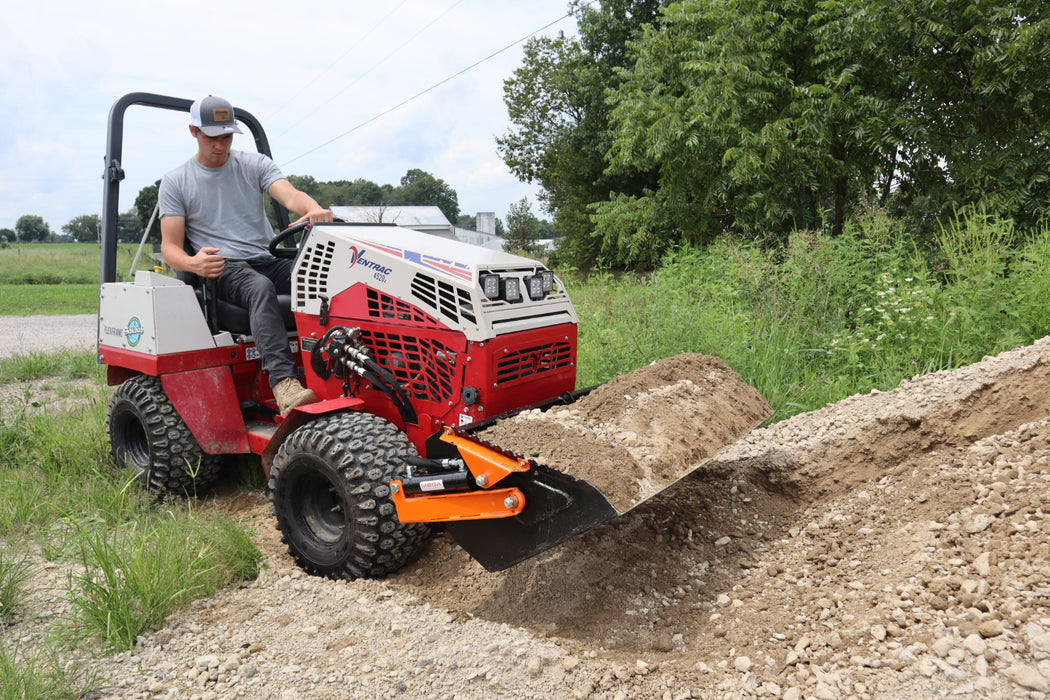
[[57, 279]]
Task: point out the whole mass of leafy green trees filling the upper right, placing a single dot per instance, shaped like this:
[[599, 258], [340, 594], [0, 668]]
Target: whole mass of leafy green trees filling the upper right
[[671, 123]]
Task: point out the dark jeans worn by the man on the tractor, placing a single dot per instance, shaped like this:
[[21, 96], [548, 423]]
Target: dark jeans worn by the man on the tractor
[[256, 285]]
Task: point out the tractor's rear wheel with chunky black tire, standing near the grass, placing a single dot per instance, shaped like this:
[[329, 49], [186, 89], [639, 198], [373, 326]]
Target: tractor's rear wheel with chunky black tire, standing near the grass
[[149, 437]]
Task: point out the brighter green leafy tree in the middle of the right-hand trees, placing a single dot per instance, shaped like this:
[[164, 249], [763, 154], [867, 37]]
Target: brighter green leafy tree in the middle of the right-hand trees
[[748, 122]]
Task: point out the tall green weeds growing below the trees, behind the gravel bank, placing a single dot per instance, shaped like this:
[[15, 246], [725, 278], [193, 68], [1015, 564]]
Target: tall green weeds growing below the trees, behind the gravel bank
[[825, 317]]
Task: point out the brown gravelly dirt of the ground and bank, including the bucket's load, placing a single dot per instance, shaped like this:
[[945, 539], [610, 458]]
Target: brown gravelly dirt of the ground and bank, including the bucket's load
[[894, 545]]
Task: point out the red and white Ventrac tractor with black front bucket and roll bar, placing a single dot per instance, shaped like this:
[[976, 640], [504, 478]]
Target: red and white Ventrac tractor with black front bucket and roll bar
[[411, 342]]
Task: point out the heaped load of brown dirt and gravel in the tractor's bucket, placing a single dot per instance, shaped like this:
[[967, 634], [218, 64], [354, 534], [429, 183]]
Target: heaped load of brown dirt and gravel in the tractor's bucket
[[639, 434]]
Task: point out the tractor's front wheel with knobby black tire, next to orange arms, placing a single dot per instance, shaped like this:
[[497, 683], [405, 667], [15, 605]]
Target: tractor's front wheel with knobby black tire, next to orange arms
[[330, 487]]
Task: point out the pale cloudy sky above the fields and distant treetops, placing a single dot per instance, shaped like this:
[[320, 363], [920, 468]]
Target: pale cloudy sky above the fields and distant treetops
[[325, 78]]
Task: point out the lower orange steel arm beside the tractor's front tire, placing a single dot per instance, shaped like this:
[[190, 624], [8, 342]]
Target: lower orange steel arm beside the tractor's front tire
[[458, 506]]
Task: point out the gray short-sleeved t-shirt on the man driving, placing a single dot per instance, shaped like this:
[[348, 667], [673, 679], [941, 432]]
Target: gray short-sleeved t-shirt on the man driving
[[223, 206]]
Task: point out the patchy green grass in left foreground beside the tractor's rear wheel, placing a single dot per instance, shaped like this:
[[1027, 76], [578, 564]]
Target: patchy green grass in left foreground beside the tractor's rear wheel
[[139, 559]]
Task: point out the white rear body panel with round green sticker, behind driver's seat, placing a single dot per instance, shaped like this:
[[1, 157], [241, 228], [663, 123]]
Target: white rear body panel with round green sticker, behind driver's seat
[[156, 315]]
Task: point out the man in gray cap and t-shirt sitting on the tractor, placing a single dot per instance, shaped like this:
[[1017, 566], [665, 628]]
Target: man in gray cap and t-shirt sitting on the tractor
[[214, 225]]
